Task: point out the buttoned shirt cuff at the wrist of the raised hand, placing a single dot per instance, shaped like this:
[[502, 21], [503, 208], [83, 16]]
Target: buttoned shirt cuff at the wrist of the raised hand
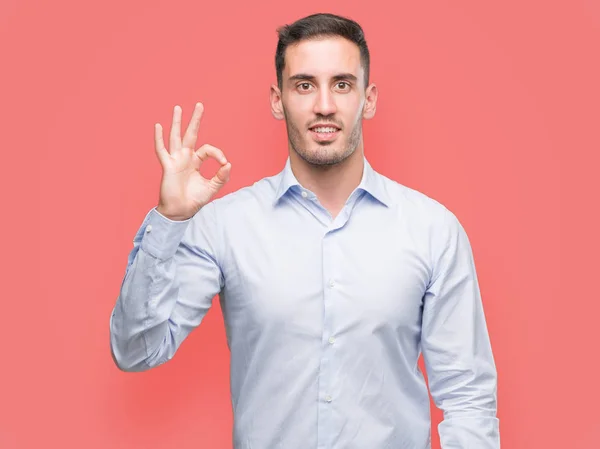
[[162, 235]]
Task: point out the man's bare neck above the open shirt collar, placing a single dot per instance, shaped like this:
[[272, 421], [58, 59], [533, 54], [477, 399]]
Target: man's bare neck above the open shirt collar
[[332, 184]]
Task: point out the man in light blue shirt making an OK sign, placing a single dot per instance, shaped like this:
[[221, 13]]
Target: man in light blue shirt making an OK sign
[[332, 278]]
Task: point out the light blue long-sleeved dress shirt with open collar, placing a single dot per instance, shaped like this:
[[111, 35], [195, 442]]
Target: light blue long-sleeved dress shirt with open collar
[[325, 318]]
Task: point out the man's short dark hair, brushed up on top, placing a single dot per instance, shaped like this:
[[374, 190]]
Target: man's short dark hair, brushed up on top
[[318, 26]]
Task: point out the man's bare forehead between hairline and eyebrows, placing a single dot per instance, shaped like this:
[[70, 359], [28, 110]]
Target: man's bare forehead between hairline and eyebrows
[[322, 57]]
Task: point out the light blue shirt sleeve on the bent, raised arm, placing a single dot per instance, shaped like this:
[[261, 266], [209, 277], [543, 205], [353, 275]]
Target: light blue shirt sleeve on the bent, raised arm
[[171, 278]]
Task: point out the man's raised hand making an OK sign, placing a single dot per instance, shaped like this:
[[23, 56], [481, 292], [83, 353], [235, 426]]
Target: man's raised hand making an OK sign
[[183, 190]]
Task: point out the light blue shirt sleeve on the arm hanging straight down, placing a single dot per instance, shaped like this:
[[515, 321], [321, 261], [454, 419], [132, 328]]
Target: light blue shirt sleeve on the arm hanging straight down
[[456, 346]]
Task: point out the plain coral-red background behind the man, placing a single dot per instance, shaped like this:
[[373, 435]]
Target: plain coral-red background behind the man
[[492, 108]]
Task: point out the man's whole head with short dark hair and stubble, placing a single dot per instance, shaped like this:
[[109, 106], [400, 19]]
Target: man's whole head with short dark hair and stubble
[[322, 64]]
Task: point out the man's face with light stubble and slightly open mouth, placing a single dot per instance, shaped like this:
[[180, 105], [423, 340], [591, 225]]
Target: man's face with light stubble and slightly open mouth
[[323, 99]]
